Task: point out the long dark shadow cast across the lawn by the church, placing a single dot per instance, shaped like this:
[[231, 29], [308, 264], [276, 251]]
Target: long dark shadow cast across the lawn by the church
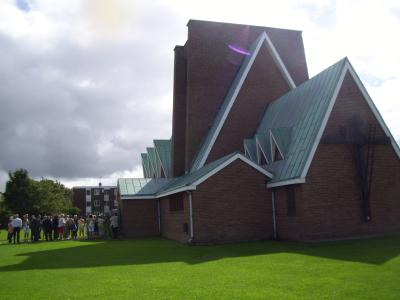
[[157, 250]]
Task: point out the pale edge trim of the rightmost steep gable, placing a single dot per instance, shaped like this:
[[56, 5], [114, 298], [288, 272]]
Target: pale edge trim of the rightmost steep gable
[[347, 68]]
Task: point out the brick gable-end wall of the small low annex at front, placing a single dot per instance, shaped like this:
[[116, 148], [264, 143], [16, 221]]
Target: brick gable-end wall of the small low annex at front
[[233, 205]]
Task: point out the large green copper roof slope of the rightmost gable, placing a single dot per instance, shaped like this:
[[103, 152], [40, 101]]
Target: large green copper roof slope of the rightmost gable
[[295, 119]]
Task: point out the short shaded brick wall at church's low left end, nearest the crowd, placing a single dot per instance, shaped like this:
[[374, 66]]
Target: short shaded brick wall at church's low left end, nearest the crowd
[[139, 218]]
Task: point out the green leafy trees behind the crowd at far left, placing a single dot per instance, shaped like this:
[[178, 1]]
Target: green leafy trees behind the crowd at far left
[[25, 195]]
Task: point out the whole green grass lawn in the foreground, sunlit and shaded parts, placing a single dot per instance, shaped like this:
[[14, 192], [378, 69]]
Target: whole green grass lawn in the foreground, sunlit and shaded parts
[[156, 268]]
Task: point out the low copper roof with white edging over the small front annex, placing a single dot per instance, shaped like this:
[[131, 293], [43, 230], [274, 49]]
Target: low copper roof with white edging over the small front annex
[[189, 181]]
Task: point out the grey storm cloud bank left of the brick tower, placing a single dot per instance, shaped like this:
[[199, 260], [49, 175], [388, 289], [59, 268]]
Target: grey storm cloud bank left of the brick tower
[[73, 111]]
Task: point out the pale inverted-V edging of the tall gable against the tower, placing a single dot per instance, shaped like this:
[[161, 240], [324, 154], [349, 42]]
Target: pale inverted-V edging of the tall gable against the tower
[[233, 92]]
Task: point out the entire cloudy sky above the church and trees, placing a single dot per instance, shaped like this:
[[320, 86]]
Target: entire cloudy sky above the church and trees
[[85, 85]]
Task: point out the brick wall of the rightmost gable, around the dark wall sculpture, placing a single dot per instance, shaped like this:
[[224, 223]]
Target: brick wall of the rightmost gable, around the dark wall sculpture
[[329, 203]]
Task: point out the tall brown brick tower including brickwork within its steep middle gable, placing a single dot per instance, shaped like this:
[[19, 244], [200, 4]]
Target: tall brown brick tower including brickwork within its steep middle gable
[[205, 68]]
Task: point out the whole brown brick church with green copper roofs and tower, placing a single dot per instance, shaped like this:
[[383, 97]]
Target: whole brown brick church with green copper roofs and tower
[[259, 150]]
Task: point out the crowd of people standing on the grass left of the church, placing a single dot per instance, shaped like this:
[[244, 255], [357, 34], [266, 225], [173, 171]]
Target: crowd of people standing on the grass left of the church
[[61, 227]]
